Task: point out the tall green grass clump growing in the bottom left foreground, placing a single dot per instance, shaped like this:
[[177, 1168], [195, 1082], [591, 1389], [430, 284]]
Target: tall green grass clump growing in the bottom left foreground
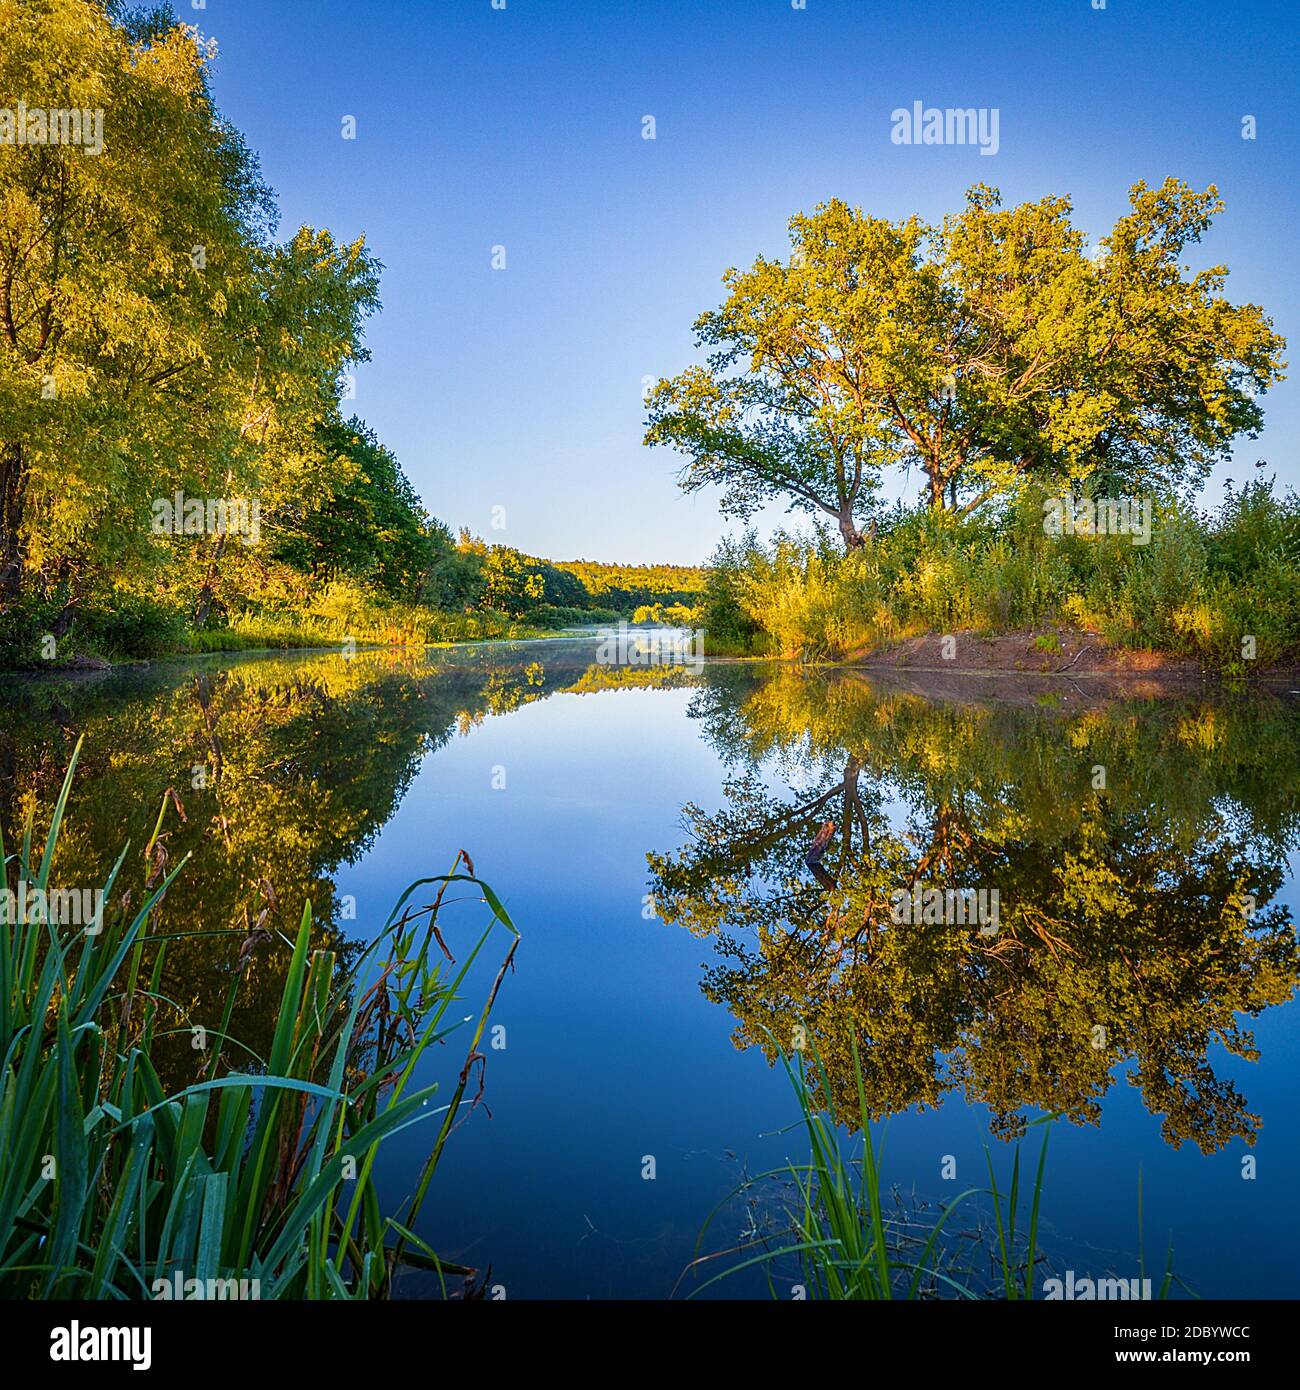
[[109, 1185]]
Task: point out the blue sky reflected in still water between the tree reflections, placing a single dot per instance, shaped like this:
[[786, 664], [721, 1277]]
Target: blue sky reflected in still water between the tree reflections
[[615, 1054]]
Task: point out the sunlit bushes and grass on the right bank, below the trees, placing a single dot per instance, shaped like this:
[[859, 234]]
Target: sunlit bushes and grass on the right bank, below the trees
[[1221, 589]]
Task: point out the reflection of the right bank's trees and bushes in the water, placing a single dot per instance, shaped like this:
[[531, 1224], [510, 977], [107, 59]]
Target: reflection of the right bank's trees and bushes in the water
[[1123, 933]]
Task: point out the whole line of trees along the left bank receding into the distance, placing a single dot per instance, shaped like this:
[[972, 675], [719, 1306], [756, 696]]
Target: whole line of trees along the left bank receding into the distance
[[169, 358]]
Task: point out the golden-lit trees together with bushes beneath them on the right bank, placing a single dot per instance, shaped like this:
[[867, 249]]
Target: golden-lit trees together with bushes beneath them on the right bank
[[1063, 405]]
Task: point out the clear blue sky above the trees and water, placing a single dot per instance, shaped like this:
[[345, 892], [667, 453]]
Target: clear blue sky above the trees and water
[[522, 127]]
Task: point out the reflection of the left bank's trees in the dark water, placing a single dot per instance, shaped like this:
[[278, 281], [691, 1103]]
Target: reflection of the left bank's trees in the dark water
[[300, 764]]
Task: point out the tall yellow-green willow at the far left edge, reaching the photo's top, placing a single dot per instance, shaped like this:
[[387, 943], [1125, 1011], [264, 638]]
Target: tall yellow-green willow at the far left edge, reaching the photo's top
[[106, 305]]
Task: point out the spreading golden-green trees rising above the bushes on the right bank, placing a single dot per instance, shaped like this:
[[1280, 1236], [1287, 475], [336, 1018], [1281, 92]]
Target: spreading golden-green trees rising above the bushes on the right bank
[[982, 352]]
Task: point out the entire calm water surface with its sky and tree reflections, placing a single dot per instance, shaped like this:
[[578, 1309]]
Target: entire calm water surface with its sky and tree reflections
[[649, 829]]
